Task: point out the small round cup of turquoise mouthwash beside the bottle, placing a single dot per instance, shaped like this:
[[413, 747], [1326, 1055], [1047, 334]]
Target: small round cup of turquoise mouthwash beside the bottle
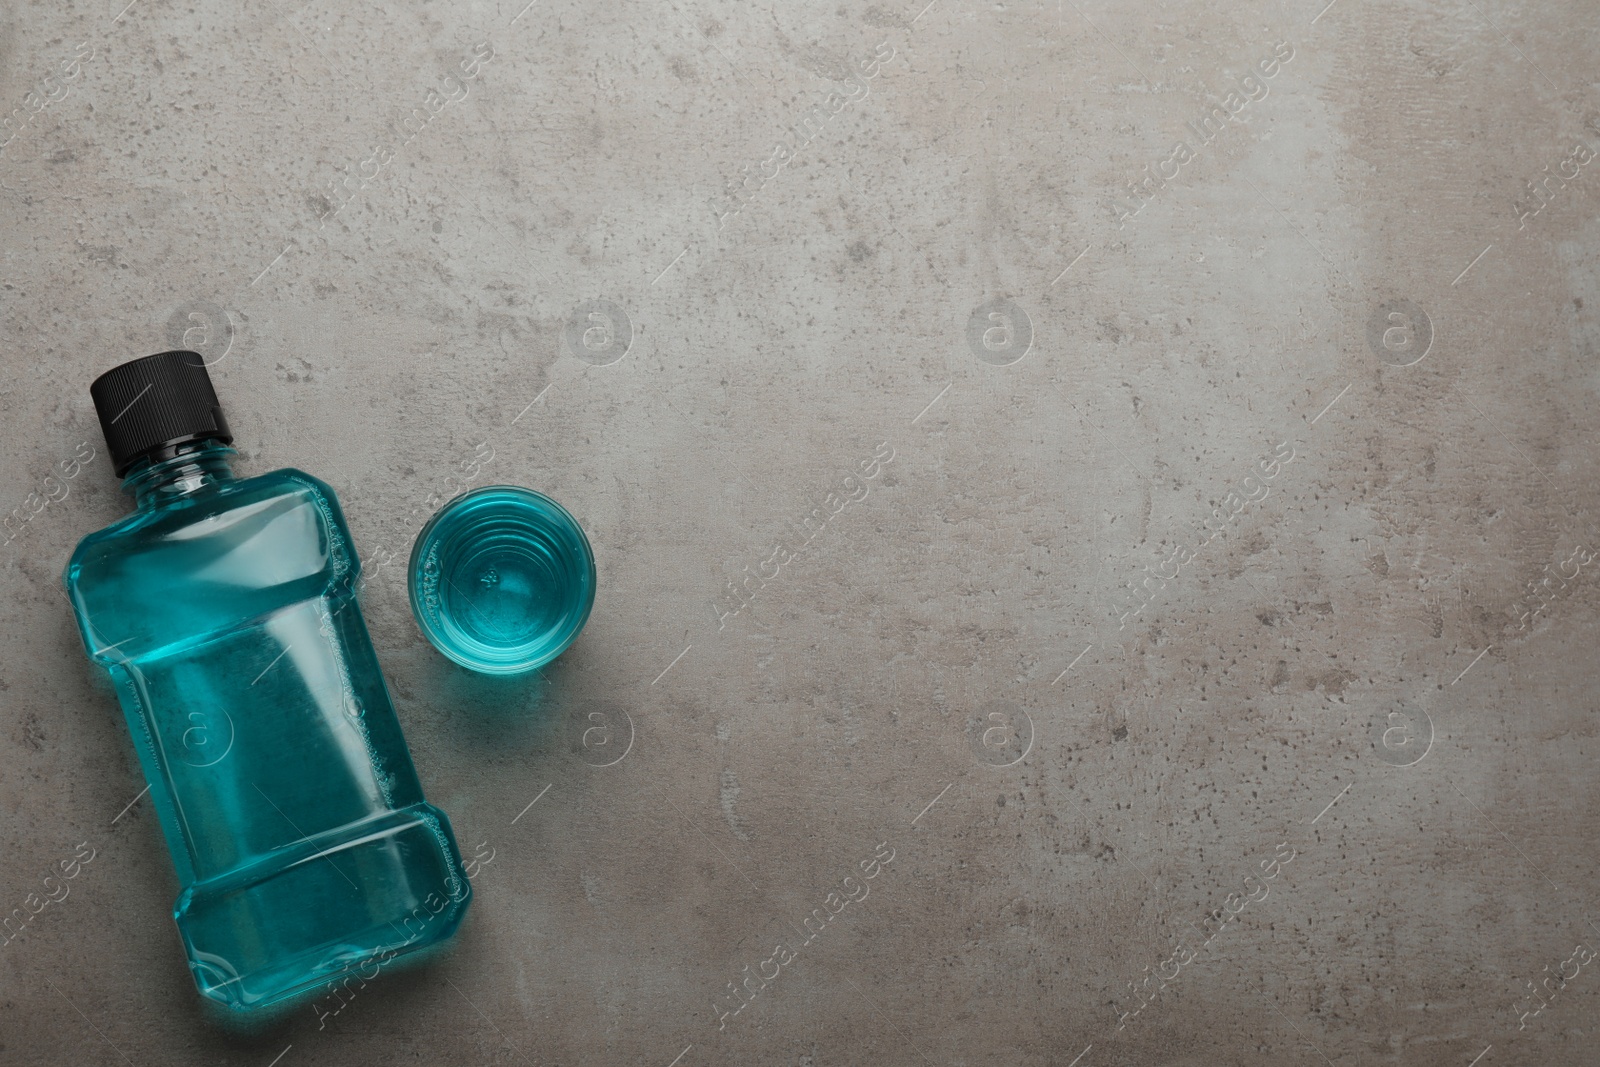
[[502, 580]]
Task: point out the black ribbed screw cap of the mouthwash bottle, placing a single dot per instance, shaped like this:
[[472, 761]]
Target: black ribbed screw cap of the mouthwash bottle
[[154, 404]]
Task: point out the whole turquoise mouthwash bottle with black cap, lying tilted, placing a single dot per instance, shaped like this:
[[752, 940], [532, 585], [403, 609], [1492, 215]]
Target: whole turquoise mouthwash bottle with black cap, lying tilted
[[225, 612]]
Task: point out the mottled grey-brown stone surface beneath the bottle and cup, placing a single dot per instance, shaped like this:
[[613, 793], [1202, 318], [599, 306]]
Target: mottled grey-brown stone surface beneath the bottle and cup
[[1346, 669]]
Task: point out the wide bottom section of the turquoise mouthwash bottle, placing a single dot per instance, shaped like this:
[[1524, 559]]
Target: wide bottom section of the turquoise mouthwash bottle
[[332, 911]]
